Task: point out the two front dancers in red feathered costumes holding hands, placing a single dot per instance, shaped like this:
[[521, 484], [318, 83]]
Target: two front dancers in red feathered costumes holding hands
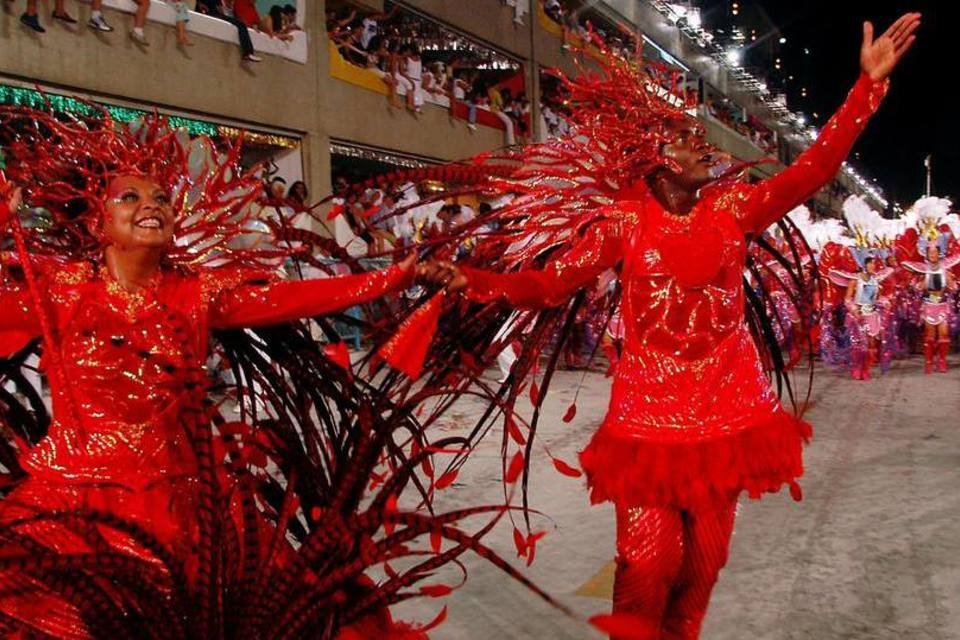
[[693, 420]]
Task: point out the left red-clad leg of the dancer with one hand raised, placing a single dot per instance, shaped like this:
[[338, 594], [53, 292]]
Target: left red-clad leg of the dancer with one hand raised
[[650, 545]]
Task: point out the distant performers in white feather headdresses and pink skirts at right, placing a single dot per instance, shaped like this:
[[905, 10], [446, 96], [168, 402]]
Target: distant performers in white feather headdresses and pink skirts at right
[[889, 285]]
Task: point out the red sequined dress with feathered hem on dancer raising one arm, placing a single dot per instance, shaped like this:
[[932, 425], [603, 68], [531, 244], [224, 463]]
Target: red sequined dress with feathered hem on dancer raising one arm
[[692, 418]]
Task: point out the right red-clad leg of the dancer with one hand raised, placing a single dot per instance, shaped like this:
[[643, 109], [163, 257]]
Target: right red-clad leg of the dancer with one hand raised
[[706, 545]]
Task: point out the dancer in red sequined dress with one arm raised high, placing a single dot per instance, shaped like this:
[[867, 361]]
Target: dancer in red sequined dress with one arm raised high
[[693, 420]]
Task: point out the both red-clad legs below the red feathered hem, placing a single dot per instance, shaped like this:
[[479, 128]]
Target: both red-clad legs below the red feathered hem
[[667, 563]]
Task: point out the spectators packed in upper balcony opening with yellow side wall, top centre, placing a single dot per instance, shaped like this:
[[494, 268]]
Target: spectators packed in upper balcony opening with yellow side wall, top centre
[[420, 61]]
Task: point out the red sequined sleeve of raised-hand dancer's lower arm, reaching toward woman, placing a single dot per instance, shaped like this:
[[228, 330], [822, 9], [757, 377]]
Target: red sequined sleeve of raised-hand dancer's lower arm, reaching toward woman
[[600, 248]]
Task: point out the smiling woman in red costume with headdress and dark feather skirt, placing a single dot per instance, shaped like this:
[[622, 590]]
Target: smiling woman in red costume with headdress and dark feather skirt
[[131, 517]]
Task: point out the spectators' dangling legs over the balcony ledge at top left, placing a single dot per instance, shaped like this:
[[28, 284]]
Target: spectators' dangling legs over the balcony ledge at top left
[[280, 22]]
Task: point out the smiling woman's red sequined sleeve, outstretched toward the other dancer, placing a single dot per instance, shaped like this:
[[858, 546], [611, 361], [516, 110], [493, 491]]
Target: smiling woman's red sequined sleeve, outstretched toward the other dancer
[[257, 305]]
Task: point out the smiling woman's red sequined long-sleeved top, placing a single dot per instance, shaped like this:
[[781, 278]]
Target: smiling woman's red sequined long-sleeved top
[[132, 360]]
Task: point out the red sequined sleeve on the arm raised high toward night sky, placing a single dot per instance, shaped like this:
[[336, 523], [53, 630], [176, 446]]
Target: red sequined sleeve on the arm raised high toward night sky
[[773, 198]]
